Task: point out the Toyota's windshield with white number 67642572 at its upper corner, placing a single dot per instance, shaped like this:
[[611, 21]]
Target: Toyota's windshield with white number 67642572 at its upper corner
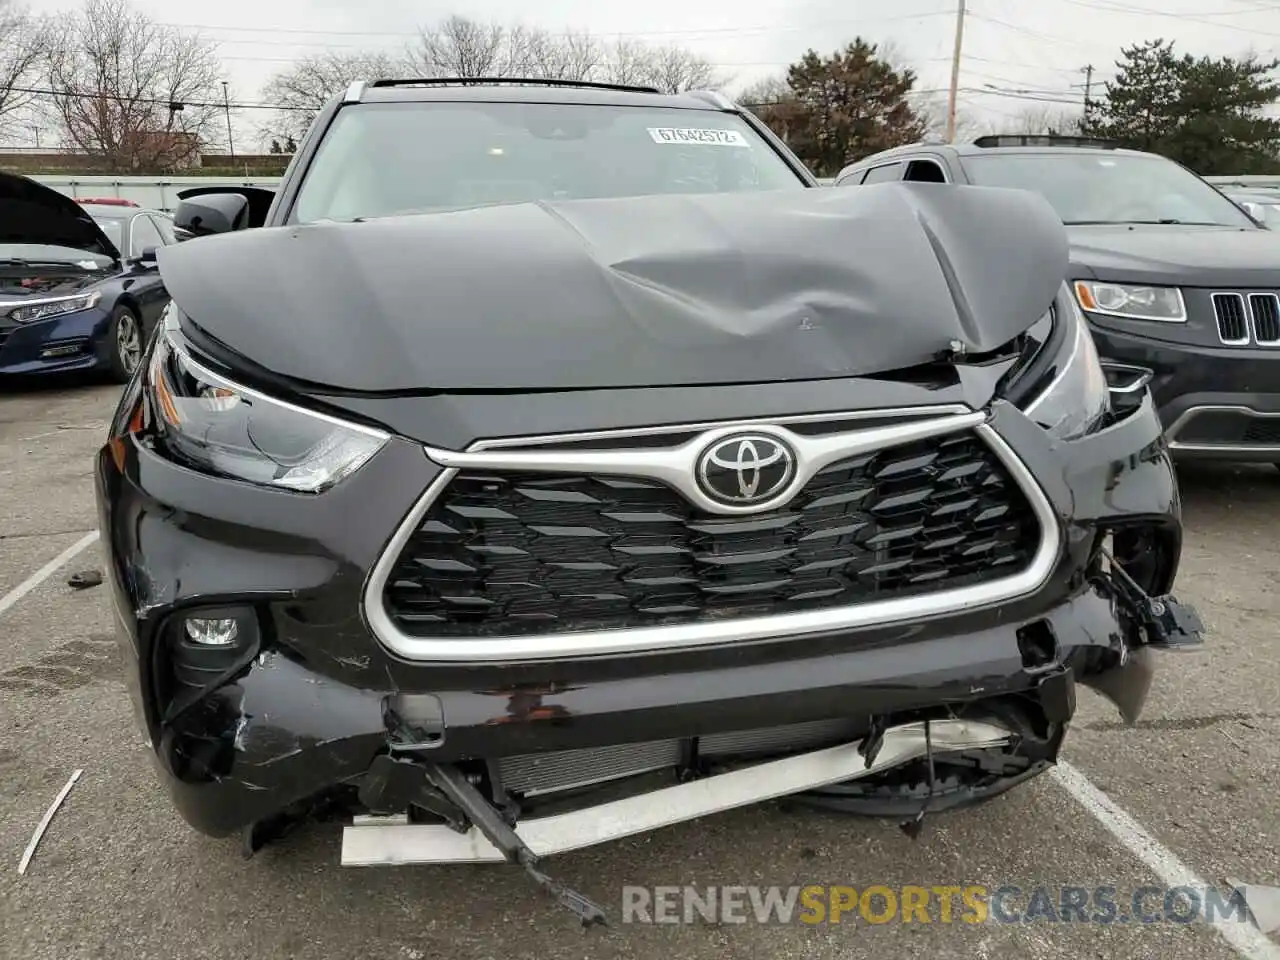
[[386, 159]]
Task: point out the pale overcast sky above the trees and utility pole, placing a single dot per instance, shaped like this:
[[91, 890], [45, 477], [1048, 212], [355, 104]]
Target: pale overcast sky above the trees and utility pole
[[1034, 51]]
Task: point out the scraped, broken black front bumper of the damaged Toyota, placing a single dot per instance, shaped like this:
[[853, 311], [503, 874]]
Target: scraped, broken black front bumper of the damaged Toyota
[[309, 711]]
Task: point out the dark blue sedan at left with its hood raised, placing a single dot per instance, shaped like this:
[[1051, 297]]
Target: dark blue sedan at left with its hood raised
[[79, 282]]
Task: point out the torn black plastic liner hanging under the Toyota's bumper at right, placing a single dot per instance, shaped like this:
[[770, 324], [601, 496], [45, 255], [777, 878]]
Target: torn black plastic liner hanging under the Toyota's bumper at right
[[962, 780]]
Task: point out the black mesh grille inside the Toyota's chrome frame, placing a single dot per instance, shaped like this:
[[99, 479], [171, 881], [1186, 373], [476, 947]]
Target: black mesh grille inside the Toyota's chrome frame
[[527, 554]]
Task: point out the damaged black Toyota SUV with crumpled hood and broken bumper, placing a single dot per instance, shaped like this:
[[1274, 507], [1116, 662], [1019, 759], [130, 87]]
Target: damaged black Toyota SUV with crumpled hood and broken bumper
[[552, 463]]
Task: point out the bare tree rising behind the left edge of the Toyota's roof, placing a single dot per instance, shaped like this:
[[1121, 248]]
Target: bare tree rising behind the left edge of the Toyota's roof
[[303, 89]]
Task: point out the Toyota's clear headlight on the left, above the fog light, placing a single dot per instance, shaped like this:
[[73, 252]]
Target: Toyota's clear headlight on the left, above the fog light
[[218, 427]]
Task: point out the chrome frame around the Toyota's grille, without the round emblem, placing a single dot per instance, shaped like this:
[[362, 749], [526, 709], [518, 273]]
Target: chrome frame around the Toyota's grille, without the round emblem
[[675, 465]]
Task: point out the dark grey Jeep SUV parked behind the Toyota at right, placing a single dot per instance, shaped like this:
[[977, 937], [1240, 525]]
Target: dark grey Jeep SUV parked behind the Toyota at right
[[1172, 276]]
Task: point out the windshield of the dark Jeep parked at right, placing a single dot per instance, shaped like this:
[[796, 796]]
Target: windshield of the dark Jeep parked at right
[[1091, 188]]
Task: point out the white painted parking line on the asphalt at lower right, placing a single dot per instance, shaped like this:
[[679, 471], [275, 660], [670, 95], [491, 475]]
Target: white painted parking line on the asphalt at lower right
[[1247, 940]]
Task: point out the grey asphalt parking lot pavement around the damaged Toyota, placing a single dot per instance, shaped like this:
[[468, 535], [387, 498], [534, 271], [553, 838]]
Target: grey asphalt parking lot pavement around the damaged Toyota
[[1186, 798]]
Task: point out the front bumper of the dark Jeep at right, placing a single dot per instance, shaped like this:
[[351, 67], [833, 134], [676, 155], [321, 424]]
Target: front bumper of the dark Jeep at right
[[1217, 403]]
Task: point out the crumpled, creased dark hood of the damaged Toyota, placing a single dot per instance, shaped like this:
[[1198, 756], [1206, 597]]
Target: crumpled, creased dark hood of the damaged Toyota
[[632, 292]]
